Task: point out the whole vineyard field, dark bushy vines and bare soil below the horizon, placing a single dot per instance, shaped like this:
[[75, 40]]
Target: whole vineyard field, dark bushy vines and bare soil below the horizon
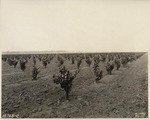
[[85, 85]]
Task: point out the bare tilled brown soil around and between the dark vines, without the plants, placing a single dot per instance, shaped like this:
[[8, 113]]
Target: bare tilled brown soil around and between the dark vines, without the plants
[[124, 94]]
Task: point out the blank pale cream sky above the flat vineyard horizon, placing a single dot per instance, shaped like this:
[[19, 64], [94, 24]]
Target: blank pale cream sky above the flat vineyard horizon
[[75, 25]]
